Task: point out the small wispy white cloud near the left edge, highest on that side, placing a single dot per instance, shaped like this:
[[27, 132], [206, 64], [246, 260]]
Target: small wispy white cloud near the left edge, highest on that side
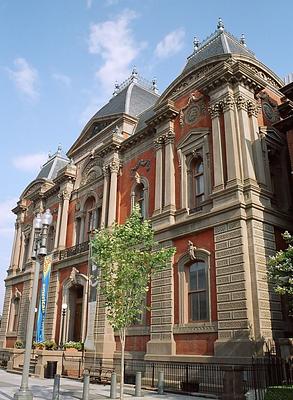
[[25, 78]]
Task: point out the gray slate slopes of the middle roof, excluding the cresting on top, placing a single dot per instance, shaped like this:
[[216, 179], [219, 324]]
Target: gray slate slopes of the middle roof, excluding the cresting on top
[[132, 100]]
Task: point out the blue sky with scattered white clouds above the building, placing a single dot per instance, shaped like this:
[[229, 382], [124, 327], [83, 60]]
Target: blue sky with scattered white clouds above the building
[[59, 60]]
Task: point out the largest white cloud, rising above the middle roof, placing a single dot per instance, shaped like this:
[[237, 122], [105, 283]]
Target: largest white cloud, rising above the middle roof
[[114, 41]]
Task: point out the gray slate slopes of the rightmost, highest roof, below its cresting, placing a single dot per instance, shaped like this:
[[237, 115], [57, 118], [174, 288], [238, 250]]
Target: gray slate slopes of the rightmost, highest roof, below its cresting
[[219, 43]]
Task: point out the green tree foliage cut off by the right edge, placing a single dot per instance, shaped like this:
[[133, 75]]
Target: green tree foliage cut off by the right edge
[[280, 270]]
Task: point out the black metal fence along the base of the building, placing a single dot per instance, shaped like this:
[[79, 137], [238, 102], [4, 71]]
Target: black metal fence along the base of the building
[[209, 378]]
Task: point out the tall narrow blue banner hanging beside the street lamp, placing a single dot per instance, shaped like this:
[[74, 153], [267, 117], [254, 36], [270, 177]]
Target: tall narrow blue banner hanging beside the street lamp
[[43, 299]]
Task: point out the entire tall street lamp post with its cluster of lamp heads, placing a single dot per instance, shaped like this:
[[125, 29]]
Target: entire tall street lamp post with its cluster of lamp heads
[[40, 225]]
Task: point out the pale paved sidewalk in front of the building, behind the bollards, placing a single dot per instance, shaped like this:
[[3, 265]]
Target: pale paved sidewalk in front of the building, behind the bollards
[[71, 389]]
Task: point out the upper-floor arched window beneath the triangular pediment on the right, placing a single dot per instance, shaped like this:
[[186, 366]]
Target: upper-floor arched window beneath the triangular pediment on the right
[[197, 183]]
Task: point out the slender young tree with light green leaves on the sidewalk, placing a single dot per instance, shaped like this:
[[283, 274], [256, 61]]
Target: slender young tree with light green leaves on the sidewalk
[[127, 256]]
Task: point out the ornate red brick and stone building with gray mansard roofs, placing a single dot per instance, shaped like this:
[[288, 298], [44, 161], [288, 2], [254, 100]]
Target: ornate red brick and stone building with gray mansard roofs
[[211, 171]]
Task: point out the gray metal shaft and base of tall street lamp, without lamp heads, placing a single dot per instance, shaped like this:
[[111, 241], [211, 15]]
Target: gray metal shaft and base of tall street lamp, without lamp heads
[[24, 393]]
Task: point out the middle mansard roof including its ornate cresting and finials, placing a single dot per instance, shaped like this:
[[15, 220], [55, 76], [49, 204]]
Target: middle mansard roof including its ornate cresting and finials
[[132, 97]]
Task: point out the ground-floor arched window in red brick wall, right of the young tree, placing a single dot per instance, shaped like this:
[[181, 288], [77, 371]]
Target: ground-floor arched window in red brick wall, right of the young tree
[[198, 299]]
